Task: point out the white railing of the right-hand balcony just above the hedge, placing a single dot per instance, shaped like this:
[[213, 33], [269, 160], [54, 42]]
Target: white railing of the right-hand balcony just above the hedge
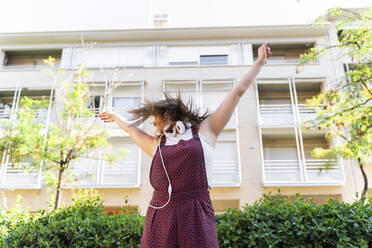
[[290, 171]]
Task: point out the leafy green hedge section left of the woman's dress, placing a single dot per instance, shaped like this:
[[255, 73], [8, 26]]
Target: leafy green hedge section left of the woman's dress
[[83, 224]]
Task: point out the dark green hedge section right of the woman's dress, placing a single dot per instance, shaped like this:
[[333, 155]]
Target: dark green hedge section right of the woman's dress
[[275, 221]]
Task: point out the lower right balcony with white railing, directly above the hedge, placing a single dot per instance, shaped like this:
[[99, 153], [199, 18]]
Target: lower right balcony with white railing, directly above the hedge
[[287, 160]]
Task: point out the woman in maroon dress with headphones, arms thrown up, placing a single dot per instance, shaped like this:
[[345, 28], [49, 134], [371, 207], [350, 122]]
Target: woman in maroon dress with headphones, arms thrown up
[[180, 213]]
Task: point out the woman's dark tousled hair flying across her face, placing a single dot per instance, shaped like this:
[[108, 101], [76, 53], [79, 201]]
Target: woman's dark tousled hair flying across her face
[[171, 109]]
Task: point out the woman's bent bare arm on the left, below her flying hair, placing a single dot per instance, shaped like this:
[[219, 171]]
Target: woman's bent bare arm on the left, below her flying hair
[[145, 141]]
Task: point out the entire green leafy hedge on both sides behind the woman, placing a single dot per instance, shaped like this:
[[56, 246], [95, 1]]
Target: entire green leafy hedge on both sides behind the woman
[[272, 221]]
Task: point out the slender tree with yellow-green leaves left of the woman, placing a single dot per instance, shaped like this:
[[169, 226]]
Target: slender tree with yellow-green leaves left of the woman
[[51, 146]]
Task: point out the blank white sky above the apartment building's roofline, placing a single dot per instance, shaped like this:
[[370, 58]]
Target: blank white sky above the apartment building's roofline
[[57, 15]]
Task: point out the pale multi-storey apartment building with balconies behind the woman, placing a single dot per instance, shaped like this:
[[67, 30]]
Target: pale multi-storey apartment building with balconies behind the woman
[[261, 149]]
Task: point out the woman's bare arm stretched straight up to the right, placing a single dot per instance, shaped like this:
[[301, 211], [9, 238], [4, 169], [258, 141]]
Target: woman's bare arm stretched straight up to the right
[[213, 125]]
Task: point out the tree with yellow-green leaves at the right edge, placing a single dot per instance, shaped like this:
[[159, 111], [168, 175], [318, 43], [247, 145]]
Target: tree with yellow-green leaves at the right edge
[[345, 111]]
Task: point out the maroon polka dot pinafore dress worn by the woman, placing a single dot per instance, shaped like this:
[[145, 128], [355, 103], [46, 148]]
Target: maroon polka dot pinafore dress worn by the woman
[[188, 220]]
